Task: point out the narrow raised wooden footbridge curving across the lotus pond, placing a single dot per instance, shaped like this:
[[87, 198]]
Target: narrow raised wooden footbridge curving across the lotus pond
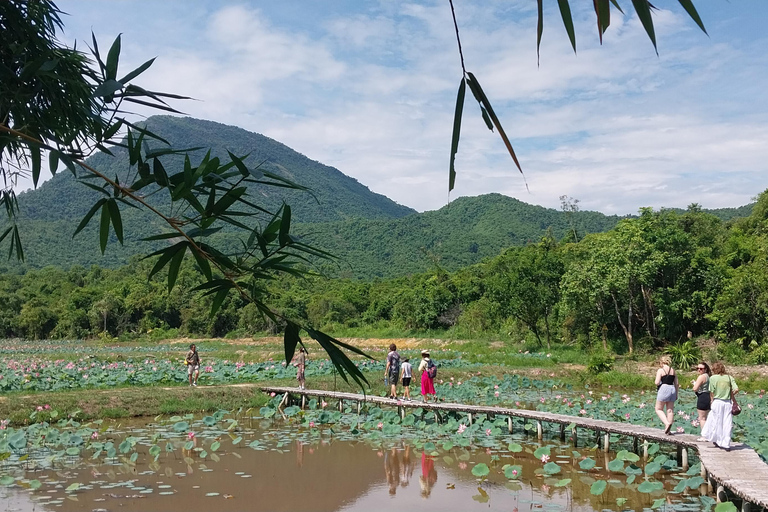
[[740, 470]]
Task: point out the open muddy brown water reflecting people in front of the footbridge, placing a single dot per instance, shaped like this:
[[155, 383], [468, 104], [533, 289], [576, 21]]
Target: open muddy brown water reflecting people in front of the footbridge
[[322, 473]]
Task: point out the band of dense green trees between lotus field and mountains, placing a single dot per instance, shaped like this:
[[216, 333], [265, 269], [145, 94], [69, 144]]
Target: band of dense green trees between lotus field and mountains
[[654, 279]]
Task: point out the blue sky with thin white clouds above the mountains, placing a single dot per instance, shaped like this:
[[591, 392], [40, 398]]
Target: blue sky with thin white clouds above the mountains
[[369, 87]]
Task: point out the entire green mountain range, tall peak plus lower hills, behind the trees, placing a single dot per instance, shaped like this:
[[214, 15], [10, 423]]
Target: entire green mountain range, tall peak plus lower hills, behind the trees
[[371, 235]]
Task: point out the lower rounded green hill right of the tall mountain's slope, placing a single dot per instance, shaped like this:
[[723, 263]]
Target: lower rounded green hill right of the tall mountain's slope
[[459, 234]]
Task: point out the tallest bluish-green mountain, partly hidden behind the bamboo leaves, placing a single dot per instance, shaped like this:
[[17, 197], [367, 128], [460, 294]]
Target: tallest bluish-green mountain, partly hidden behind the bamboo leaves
[[50, 214]]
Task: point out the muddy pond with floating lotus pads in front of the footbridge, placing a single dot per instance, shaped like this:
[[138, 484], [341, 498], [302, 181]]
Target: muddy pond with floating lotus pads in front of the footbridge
[[321, 459]]
